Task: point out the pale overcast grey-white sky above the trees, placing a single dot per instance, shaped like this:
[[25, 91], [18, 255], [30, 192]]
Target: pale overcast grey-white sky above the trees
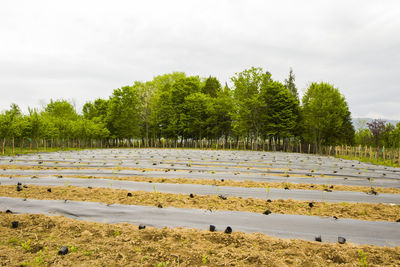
[[82, 50]]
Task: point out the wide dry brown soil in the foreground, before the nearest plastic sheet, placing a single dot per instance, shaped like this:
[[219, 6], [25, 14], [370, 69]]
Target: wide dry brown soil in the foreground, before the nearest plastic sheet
[[38, 238]]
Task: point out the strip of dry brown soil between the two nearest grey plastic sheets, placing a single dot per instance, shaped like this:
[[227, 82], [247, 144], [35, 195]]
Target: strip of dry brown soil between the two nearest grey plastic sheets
[[361, 211]]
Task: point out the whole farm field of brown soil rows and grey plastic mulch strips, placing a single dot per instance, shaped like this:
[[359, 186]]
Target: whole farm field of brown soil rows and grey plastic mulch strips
[[275, 203]]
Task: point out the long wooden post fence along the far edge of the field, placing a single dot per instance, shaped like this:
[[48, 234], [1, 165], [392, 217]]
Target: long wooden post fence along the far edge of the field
[[382, 155]]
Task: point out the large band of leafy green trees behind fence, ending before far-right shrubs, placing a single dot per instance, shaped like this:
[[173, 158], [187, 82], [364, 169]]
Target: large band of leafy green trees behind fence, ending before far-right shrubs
[[177, 108]]
